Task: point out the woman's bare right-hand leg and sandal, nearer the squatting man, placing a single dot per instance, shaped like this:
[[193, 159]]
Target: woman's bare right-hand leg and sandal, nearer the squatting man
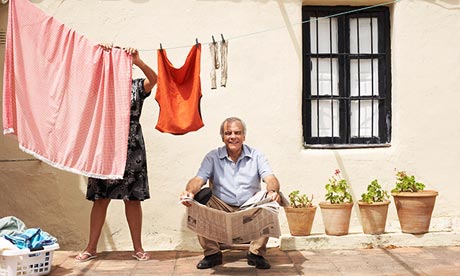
[[133, 211]]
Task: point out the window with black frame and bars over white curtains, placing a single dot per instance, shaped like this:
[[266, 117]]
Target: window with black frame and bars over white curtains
[[346, 77]]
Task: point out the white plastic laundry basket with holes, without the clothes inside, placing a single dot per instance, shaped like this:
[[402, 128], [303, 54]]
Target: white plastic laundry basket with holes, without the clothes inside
[[25, 262]]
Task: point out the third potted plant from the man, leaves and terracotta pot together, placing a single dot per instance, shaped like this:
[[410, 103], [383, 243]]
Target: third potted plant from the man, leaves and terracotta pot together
[[373, 208]]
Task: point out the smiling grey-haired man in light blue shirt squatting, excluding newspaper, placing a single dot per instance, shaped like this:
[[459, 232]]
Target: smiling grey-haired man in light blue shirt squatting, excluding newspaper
[[235, 171]]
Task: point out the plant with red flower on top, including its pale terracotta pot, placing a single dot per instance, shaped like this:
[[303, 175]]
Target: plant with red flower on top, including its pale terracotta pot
[[336, 212]]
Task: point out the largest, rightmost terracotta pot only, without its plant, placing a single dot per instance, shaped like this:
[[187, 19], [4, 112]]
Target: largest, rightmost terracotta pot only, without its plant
[[414, 210]]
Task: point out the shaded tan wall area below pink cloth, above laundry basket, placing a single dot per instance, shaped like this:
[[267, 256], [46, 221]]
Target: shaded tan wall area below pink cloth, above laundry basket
[[42, 196]]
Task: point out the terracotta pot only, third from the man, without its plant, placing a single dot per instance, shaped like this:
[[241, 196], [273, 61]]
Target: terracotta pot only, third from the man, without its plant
[[373, 216]]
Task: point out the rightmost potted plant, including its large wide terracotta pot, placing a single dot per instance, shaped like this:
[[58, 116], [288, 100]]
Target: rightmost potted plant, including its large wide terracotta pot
[[414, 204]]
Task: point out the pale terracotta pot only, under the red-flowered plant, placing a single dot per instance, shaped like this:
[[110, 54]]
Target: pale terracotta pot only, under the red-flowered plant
[[336, 218]]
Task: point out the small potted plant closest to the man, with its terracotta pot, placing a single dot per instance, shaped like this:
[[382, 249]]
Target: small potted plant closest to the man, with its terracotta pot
[[300, 214]]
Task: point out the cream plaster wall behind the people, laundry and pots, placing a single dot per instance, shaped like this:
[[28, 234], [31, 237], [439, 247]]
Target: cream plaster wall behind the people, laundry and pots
[[264, 88]]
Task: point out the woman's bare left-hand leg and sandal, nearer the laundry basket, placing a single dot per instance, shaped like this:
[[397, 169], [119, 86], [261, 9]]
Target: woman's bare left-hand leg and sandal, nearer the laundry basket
[[97, 220]]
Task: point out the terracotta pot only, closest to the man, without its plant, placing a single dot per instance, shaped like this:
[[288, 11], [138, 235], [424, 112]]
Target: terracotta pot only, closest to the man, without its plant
[[300, 220]]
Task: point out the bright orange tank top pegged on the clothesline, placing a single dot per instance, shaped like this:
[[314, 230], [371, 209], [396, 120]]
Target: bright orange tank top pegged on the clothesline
[[179, 93]]
